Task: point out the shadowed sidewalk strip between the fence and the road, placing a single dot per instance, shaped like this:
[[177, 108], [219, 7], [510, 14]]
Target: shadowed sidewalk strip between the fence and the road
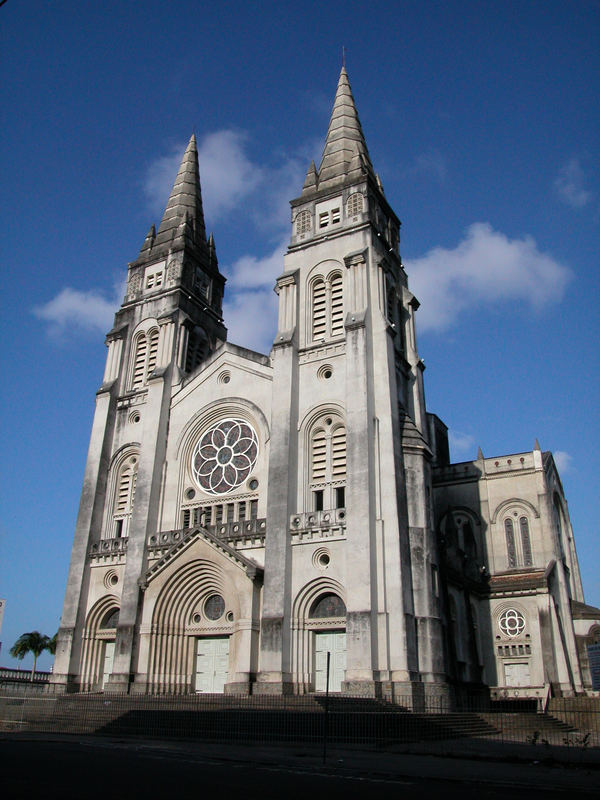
[[485, 763]]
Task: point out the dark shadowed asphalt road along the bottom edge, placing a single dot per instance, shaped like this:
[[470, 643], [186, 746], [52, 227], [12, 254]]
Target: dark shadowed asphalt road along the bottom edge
[[87, 770]]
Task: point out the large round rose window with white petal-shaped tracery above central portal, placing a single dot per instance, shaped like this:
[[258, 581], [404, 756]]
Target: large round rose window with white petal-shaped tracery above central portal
[[225, 456]]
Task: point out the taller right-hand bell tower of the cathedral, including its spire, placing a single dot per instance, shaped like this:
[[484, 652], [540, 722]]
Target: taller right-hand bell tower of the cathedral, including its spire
[[349, 437]]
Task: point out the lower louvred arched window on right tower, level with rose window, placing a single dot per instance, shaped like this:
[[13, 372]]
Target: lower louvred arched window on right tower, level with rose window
[[327, 470]]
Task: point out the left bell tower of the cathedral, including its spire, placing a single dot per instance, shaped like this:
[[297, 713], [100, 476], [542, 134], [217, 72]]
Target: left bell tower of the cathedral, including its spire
[[169, 323]]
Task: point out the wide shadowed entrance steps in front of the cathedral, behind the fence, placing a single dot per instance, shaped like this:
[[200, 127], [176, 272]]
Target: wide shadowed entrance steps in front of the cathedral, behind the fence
[[259, 718]]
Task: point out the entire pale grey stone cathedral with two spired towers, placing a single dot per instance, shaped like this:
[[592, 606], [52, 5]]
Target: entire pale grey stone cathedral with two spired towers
[[290, 522]]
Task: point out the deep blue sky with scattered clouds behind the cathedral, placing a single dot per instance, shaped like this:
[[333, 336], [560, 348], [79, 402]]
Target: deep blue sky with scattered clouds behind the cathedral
[[482, 120]]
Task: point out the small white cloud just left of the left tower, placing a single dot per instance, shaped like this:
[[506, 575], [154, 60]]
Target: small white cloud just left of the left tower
[[77, 311]]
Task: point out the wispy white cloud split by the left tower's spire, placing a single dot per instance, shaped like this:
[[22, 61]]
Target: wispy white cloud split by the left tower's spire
[[226, 173]]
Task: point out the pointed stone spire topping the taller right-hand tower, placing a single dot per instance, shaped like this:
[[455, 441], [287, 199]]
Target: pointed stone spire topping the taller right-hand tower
[[345, 138]]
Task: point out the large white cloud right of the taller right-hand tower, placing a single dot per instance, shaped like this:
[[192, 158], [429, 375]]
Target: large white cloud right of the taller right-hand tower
[[484, 268]]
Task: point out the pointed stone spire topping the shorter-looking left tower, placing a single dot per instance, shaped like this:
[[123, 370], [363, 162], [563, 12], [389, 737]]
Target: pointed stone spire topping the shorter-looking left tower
[[184, 209]]
